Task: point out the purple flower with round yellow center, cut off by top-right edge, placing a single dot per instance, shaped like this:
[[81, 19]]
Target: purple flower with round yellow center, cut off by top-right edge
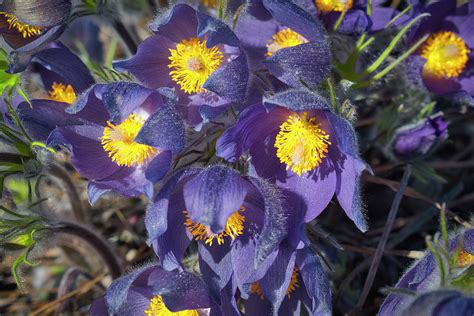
[[444, 64]]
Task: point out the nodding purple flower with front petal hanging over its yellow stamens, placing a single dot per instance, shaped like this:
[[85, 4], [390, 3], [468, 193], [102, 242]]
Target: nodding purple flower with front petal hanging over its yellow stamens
[[238, 223]]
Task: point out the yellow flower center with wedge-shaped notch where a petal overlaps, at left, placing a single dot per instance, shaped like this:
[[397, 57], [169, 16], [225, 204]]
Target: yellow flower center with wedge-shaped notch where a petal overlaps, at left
[[118, 142]]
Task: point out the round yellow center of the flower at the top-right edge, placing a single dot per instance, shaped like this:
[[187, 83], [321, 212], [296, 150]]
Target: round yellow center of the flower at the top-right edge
[[446, 55]]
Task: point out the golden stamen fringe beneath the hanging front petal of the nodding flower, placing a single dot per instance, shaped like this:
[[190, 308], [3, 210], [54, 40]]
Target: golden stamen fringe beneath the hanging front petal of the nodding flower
[[233, 228]]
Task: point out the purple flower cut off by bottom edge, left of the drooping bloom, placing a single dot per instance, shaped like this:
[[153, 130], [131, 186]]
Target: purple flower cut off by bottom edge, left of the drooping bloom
[[151, 290]]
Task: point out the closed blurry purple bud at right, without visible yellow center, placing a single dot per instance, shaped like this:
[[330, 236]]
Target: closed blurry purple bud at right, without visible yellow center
[[417, 140]]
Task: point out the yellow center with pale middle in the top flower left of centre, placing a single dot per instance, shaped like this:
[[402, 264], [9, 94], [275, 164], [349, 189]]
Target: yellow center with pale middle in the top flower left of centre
[[192, 62]]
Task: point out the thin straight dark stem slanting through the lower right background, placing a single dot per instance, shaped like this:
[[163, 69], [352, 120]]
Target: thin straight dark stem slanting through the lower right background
[[383, 240]]
